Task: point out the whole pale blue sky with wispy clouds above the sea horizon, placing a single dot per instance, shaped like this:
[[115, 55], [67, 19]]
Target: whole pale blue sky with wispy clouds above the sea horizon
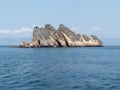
[[98, 17]]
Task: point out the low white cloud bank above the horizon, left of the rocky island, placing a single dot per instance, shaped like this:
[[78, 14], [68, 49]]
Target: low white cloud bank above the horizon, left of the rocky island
[[14, 37]]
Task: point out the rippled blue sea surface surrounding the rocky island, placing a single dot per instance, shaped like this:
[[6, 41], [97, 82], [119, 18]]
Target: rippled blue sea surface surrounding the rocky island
[[87, 68]]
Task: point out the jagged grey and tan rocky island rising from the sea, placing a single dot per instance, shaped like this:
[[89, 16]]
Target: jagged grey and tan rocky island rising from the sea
[[48, 36]]
